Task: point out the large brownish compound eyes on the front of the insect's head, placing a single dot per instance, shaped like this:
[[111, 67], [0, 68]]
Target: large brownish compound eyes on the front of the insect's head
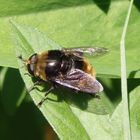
[[32, 63]]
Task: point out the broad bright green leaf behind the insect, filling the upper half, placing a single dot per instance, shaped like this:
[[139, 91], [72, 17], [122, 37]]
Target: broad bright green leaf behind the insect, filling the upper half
[[78, 23]]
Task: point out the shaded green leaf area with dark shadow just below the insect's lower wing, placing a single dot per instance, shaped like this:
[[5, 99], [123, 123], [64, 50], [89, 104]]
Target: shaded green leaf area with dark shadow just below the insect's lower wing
[[100, 106]]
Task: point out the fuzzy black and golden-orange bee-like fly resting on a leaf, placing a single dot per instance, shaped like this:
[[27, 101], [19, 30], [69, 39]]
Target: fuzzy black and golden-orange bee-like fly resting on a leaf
[[66, 67]]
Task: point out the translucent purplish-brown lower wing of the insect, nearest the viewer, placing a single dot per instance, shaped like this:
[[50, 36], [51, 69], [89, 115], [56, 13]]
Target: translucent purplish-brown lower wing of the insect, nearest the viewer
[[80, 81]]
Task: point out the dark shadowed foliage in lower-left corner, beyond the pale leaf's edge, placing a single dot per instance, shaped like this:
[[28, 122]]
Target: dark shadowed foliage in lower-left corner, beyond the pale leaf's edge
[[19, 117]]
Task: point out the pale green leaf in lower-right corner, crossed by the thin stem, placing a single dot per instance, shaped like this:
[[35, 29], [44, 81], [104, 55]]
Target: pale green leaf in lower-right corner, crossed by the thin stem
[[117, 117]]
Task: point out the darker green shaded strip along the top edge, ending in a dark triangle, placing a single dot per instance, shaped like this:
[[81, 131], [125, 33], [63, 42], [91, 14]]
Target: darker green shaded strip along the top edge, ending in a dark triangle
[[34, 7]]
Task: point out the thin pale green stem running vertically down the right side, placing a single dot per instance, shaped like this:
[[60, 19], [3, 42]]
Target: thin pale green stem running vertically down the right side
[[126, 115]]
